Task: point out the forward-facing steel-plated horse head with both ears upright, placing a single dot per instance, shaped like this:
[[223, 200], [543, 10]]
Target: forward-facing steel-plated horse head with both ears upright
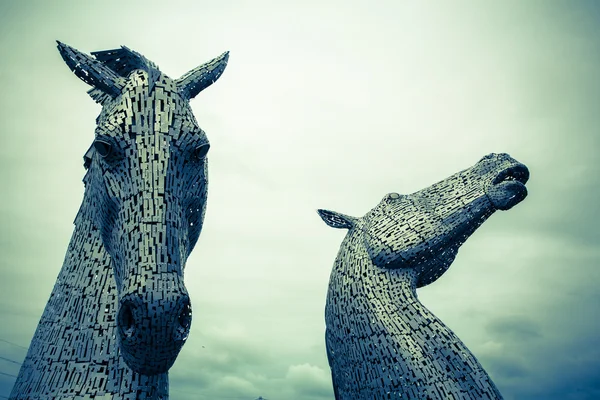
[[146, 186]]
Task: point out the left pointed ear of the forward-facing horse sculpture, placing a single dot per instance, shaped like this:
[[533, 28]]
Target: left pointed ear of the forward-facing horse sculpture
[[91, 71]]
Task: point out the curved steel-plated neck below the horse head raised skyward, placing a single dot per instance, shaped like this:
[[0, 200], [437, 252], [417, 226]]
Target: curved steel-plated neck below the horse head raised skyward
[[377, 310]]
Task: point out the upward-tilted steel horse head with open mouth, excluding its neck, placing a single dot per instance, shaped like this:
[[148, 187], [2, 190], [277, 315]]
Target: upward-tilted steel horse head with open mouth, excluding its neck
[[423, 231]]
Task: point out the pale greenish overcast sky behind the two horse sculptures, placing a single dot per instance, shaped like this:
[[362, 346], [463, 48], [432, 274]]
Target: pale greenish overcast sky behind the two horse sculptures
[[328, 104]]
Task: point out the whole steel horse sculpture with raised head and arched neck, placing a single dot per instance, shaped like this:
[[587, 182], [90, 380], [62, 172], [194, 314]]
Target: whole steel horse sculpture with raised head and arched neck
[[382, 343]]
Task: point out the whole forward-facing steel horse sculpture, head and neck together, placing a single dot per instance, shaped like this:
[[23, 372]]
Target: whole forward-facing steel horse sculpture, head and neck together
[[119, 312]]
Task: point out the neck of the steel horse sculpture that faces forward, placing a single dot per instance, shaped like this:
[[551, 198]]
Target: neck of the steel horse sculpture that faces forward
[[74, 352]]
